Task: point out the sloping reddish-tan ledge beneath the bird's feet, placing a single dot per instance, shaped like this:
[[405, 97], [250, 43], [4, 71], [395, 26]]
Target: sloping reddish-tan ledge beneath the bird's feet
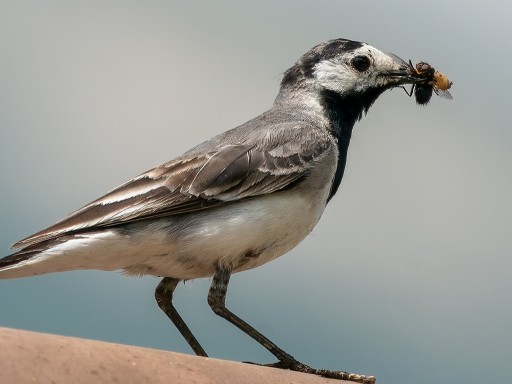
[[28, 357]]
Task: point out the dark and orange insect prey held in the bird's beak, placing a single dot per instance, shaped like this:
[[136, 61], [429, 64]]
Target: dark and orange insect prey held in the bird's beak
[[433, 81]]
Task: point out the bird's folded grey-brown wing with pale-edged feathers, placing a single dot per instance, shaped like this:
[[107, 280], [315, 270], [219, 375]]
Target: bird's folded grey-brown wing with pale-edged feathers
[[200, 180]]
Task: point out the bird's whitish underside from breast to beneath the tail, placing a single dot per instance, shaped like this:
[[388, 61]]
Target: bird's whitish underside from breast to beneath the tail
[[241, 235]]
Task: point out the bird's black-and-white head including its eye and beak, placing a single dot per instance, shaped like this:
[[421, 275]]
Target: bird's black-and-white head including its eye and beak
[[345, 73]]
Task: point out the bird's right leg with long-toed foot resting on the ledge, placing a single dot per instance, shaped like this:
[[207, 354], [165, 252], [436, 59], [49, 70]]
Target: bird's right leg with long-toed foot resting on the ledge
[[217, 301]]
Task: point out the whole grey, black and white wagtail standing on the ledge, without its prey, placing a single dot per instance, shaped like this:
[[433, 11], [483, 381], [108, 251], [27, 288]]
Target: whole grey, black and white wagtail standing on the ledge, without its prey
[[234, 202]]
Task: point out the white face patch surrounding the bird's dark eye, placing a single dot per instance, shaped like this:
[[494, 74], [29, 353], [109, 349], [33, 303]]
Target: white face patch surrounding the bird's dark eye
[[338, 74]]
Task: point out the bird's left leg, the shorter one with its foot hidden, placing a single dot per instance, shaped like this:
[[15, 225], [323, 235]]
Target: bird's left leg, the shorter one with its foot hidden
[[163, 296]]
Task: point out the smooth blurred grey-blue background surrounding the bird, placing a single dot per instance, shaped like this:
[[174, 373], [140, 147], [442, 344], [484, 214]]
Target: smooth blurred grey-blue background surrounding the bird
[[407, 275]]
